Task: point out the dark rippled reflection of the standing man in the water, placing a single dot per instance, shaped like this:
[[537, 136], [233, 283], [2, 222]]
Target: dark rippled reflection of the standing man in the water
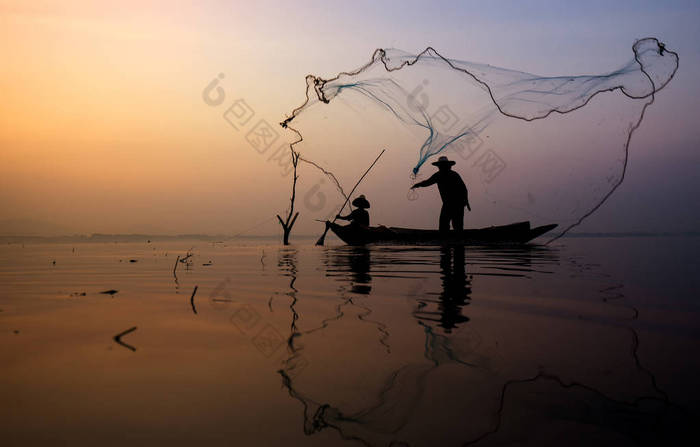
[[455, 293]]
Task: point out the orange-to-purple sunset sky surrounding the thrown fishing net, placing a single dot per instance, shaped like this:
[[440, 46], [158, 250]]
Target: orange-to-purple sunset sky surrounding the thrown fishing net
[[103, 127]]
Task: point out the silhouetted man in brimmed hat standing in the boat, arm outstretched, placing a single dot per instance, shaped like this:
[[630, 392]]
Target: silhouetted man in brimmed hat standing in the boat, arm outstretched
[[453, 193]]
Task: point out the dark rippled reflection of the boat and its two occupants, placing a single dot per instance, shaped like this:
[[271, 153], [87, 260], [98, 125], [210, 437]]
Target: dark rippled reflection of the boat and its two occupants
[[456, 266]]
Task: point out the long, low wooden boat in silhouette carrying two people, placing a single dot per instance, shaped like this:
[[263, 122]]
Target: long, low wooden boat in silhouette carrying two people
[[516, 233]]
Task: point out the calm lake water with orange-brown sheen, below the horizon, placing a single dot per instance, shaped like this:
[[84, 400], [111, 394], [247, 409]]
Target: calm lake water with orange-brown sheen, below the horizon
[[590, 341]]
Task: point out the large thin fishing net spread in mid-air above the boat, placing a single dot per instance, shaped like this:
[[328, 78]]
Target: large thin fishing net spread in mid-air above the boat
[[549, 149]]
